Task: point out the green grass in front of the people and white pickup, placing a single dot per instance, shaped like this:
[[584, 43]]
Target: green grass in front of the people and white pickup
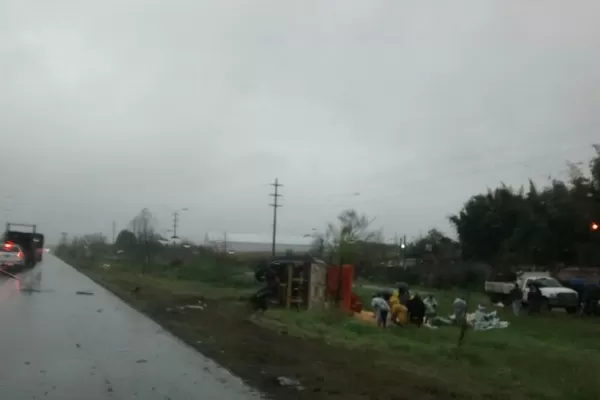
[[539, 357]]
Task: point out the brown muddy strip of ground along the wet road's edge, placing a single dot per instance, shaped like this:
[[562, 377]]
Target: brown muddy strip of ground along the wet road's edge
[[260, 352]]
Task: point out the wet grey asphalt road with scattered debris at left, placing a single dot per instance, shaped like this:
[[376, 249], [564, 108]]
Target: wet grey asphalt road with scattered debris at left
[[55, 344]]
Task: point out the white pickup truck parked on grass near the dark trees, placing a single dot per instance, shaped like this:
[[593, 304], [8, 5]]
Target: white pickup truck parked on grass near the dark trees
[[555, 294]]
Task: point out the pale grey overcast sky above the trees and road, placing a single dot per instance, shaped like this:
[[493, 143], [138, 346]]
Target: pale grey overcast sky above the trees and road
[[110, 106]]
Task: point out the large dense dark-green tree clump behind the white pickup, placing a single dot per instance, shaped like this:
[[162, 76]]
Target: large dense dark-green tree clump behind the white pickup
[[547, 226]]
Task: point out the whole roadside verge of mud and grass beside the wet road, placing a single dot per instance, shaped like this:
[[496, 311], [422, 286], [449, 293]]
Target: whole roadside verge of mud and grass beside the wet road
[[547, 357]]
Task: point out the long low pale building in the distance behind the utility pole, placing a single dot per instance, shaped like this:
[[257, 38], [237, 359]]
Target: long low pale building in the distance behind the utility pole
[[256, 243]]
